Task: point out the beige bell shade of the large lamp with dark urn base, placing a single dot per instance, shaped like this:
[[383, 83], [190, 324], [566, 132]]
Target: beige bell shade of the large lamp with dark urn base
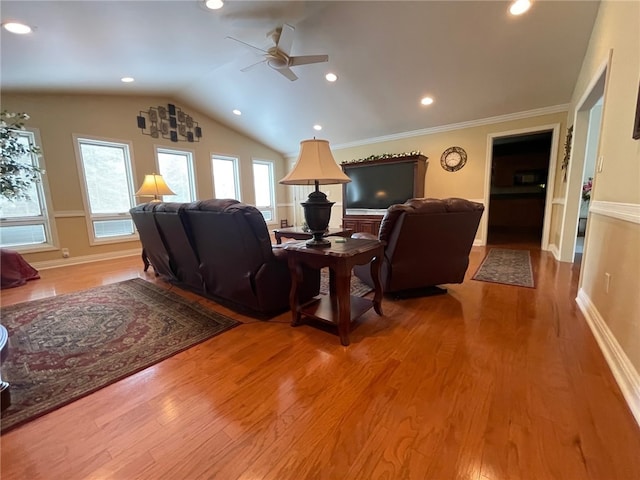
[[315, 164]]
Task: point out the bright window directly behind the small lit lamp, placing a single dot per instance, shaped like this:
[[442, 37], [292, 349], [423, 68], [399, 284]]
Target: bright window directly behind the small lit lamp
[[176, 167]]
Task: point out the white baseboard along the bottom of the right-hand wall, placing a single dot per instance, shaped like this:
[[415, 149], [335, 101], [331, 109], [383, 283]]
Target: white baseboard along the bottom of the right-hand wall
[[623, 370]]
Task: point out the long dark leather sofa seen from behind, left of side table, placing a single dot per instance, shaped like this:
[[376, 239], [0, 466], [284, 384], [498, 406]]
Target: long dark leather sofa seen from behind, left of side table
[[220, 249]]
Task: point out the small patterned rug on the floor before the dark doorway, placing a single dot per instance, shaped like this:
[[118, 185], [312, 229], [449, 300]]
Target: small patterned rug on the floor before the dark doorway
[[511, 267]]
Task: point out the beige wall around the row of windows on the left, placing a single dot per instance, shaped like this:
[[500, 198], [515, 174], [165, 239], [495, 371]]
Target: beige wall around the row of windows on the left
[[59, 117]]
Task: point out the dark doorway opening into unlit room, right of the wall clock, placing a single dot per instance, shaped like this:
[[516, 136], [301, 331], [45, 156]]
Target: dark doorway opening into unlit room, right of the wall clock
[[518, 188]]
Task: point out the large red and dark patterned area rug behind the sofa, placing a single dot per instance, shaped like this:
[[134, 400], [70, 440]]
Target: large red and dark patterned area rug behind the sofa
[[63, 348]]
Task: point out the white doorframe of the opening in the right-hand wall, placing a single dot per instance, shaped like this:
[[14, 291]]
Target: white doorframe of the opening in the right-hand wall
[[595, 90]]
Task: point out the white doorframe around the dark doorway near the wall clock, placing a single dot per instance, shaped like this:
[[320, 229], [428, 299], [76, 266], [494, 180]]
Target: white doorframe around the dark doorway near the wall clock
[[554, 128]]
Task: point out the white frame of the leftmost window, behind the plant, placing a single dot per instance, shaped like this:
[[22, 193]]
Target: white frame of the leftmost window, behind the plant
[[46, 216]]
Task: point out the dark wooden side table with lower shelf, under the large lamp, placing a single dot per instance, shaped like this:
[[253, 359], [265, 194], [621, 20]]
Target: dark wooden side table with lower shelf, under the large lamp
[[339, 307]]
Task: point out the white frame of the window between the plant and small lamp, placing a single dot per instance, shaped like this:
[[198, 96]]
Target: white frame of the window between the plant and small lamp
[[90, 217]]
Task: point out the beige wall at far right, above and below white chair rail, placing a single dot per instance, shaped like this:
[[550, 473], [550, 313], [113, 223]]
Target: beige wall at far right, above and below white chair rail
[[612, 244]]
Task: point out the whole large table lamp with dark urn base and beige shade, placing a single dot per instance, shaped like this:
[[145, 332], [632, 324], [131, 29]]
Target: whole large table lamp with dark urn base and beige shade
[[316, 166]]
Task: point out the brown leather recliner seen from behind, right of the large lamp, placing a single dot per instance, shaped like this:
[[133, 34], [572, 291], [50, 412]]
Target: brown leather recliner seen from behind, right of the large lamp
[[428, 244]]
